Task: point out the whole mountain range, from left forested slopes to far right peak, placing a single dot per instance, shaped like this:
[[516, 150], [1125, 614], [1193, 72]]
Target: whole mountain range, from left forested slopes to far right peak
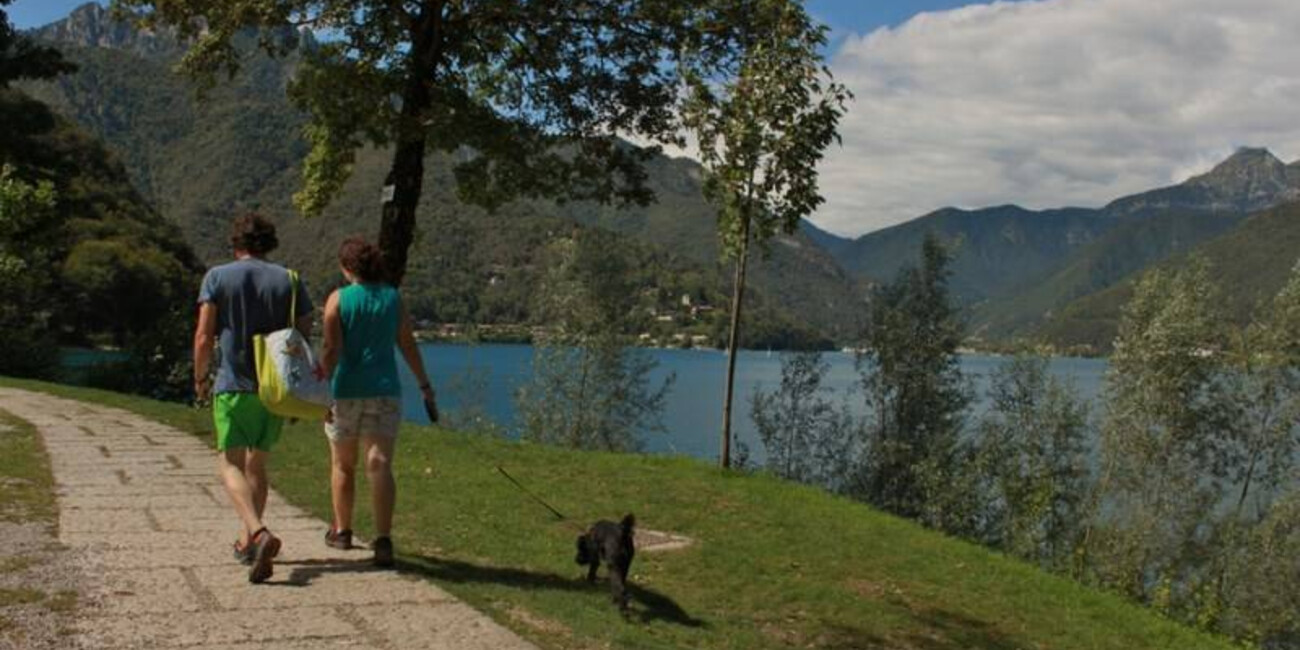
[[1020, 274]]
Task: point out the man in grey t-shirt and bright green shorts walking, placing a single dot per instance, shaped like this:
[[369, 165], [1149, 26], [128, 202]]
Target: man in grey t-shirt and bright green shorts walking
[[237, 301]]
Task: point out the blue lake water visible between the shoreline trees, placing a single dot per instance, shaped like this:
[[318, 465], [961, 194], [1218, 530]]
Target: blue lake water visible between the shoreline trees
[[694, 410]]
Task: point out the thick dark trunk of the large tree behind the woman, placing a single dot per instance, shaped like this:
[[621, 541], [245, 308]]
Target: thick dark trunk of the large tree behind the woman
[[406, 177]]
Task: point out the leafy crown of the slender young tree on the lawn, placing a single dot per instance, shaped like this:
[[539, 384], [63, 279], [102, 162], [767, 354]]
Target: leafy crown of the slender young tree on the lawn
[[762, 120]]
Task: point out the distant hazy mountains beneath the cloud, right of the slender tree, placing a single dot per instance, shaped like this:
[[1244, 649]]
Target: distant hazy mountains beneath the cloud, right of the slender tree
[[1017, 271]]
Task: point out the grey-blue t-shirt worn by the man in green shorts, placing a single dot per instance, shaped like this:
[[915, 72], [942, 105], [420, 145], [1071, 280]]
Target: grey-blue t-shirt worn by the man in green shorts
[[253, 297]]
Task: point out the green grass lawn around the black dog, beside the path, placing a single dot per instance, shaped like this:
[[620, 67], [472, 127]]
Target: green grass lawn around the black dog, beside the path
[[774, 566]]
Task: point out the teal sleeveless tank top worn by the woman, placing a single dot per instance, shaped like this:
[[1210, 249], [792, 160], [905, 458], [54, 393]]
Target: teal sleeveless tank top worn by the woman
[[369, 366]]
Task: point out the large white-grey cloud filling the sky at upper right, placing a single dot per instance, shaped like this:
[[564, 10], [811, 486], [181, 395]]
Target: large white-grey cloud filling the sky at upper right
[[1056, 103]]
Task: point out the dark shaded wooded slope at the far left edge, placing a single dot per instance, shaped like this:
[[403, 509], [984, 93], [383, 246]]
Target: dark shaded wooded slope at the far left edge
[[93, 262]]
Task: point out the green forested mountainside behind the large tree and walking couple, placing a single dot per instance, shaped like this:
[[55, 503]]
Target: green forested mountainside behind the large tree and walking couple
[[241, 149]]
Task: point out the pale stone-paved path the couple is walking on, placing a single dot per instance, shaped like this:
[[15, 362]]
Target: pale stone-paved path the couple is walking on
[[141, 505]]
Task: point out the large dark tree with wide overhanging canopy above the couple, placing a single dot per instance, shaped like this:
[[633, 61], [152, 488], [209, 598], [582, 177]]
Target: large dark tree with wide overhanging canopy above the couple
[[530, 94]]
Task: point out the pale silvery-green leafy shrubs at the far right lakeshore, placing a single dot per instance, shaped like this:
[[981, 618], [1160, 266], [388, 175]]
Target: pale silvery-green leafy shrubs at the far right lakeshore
[[1199, 454]]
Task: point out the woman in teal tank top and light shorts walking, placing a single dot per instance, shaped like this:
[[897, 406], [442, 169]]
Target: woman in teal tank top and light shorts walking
[[365, 323]]
